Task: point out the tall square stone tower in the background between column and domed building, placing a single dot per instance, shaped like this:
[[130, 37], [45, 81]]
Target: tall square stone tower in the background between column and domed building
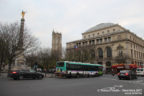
[[57, 45]]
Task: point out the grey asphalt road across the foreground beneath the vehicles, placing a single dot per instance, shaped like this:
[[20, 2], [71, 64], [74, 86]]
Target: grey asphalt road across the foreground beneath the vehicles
[[106, 85]]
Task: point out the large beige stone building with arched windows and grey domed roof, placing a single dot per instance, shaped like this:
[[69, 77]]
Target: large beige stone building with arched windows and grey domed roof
[[107, 44]]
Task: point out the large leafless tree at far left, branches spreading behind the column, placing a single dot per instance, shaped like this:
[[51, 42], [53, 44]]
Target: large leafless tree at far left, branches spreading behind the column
[[10, 35]]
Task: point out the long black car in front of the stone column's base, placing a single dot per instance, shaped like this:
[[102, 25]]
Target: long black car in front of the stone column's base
[[21, 74]]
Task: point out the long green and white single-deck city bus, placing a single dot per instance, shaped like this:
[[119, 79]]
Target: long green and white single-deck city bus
[[70, 69]]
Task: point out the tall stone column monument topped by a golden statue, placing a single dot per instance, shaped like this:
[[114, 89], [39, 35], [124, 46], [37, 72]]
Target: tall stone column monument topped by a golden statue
[[20, 58]]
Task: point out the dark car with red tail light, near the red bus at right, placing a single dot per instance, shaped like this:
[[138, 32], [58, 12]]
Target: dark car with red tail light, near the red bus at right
[[127, 74]]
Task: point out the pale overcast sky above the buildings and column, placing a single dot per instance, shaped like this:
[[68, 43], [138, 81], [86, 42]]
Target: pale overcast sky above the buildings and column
[[72, 17]]
